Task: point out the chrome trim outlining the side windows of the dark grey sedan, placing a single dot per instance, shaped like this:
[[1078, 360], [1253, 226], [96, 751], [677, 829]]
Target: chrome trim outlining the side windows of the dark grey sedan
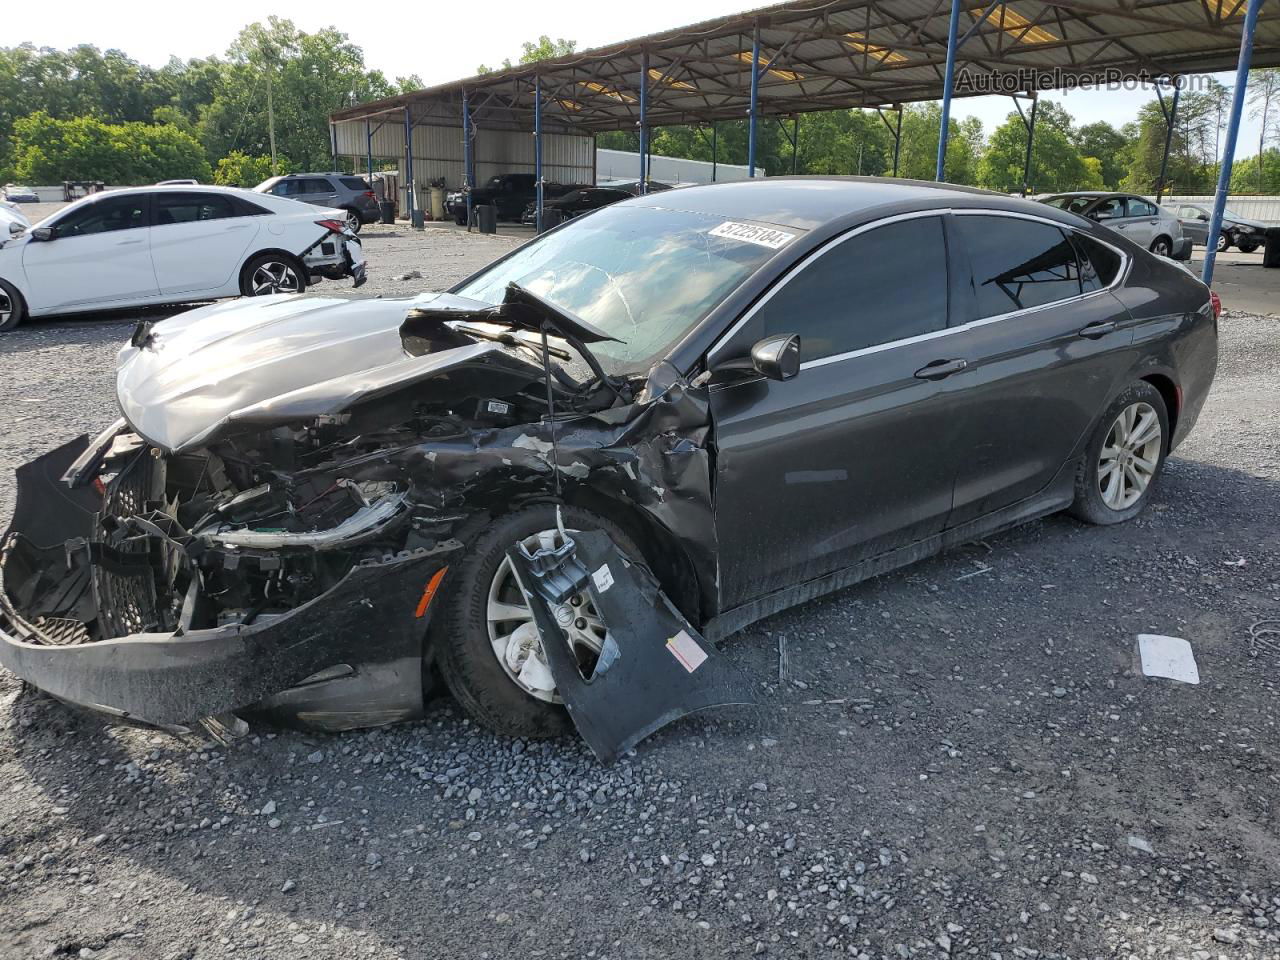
[[1122, 275]]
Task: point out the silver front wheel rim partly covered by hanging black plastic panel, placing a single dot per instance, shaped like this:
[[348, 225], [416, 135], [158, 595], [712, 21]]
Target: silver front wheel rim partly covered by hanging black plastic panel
[[515, 639]]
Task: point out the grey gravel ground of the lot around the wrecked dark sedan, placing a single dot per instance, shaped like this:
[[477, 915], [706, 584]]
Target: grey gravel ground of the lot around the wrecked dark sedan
[[957, 760]]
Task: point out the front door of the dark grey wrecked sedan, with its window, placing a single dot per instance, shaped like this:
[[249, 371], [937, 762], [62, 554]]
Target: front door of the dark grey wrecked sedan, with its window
[[854, 456]]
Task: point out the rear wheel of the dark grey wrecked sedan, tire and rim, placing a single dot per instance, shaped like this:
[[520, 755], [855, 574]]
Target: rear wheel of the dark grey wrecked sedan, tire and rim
[[1096, 492]]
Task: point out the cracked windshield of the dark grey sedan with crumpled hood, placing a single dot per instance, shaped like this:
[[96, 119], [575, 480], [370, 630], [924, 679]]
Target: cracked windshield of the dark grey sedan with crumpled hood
[[644, 276]]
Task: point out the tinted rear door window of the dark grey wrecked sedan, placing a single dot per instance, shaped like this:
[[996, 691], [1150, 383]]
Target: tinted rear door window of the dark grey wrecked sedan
[[1018, 264]]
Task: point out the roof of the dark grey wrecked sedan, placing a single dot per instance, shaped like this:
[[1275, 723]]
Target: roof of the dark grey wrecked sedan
[[810, 203]]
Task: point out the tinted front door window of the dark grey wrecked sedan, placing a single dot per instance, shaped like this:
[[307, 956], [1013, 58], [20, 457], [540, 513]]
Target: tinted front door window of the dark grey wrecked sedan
[[886, 285]]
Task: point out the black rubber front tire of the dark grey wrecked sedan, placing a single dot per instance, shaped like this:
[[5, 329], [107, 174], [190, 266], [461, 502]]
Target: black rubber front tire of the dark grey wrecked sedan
[[463, 642]]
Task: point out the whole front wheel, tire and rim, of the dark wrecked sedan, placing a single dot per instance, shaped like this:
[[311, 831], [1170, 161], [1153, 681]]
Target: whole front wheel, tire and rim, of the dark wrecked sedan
[[491, 653]]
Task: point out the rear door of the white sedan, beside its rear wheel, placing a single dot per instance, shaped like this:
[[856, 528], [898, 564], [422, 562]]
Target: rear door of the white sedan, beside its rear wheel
[[199, 241]]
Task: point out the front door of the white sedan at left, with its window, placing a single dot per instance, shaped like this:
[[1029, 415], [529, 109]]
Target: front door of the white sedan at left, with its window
[[100, 254]]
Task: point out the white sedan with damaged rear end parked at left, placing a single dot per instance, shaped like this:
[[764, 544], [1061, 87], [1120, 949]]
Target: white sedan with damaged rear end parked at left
[[171, 245]]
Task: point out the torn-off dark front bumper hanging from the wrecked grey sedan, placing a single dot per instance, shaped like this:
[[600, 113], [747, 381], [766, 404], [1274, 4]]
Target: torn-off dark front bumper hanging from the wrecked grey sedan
[[353, 657]]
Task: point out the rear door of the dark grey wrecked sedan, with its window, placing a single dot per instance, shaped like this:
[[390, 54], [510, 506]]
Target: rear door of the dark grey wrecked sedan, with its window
[[1045, 348]]
